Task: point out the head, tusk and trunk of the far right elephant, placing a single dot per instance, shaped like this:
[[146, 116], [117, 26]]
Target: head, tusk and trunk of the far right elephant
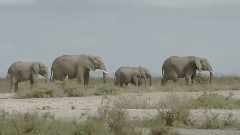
[[203, 64]]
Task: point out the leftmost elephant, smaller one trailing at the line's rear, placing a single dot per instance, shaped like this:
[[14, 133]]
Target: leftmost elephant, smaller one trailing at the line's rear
[[24, 71]]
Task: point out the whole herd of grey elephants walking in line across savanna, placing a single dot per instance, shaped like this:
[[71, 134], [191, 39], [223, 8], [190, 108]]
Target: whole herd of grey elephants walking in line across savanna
[[79, 66]]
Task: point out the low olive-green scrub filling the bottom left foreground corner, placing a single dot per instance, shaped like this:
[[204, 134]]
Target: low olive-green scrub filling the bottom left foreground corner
[[28, 124]]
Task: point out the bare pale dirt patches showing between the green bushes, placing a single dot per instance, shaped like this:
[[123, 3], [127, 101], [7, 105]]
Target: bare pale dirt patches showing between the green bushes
[[79, 108]]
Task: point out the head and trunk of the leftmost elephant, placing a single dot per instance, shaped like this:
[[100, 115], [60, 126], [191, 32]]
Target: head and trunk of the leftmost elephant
[[39, 68]]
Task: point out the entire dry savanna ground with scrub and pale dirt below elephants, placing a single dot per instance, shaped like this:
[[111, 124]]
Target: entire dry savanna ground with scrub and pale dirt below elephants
[[67, 108]]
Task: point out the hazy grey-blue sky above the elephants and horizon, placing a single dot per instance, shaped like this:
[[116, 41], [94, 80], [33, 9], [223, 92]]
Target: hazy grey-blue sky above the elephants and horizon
[[122, 32]]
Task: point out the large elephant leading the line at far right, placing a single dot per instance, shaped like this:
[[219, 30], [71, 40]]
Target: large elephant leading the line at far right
[[178, 67]]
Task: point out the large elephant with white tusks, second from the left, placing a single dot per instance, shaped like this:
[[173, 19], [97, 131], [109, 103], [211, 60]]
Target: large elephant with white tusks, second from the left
[[76, 66]]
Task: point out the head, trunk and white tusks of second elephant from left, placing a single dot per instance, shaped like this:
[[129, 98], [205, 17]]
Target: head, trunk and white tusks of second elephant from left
[[97, 63]]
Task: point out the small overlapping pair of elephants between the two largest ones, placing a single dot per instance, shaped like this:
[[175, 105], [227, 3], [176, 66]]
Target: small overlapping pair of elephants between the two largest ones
[[133, 75]]
